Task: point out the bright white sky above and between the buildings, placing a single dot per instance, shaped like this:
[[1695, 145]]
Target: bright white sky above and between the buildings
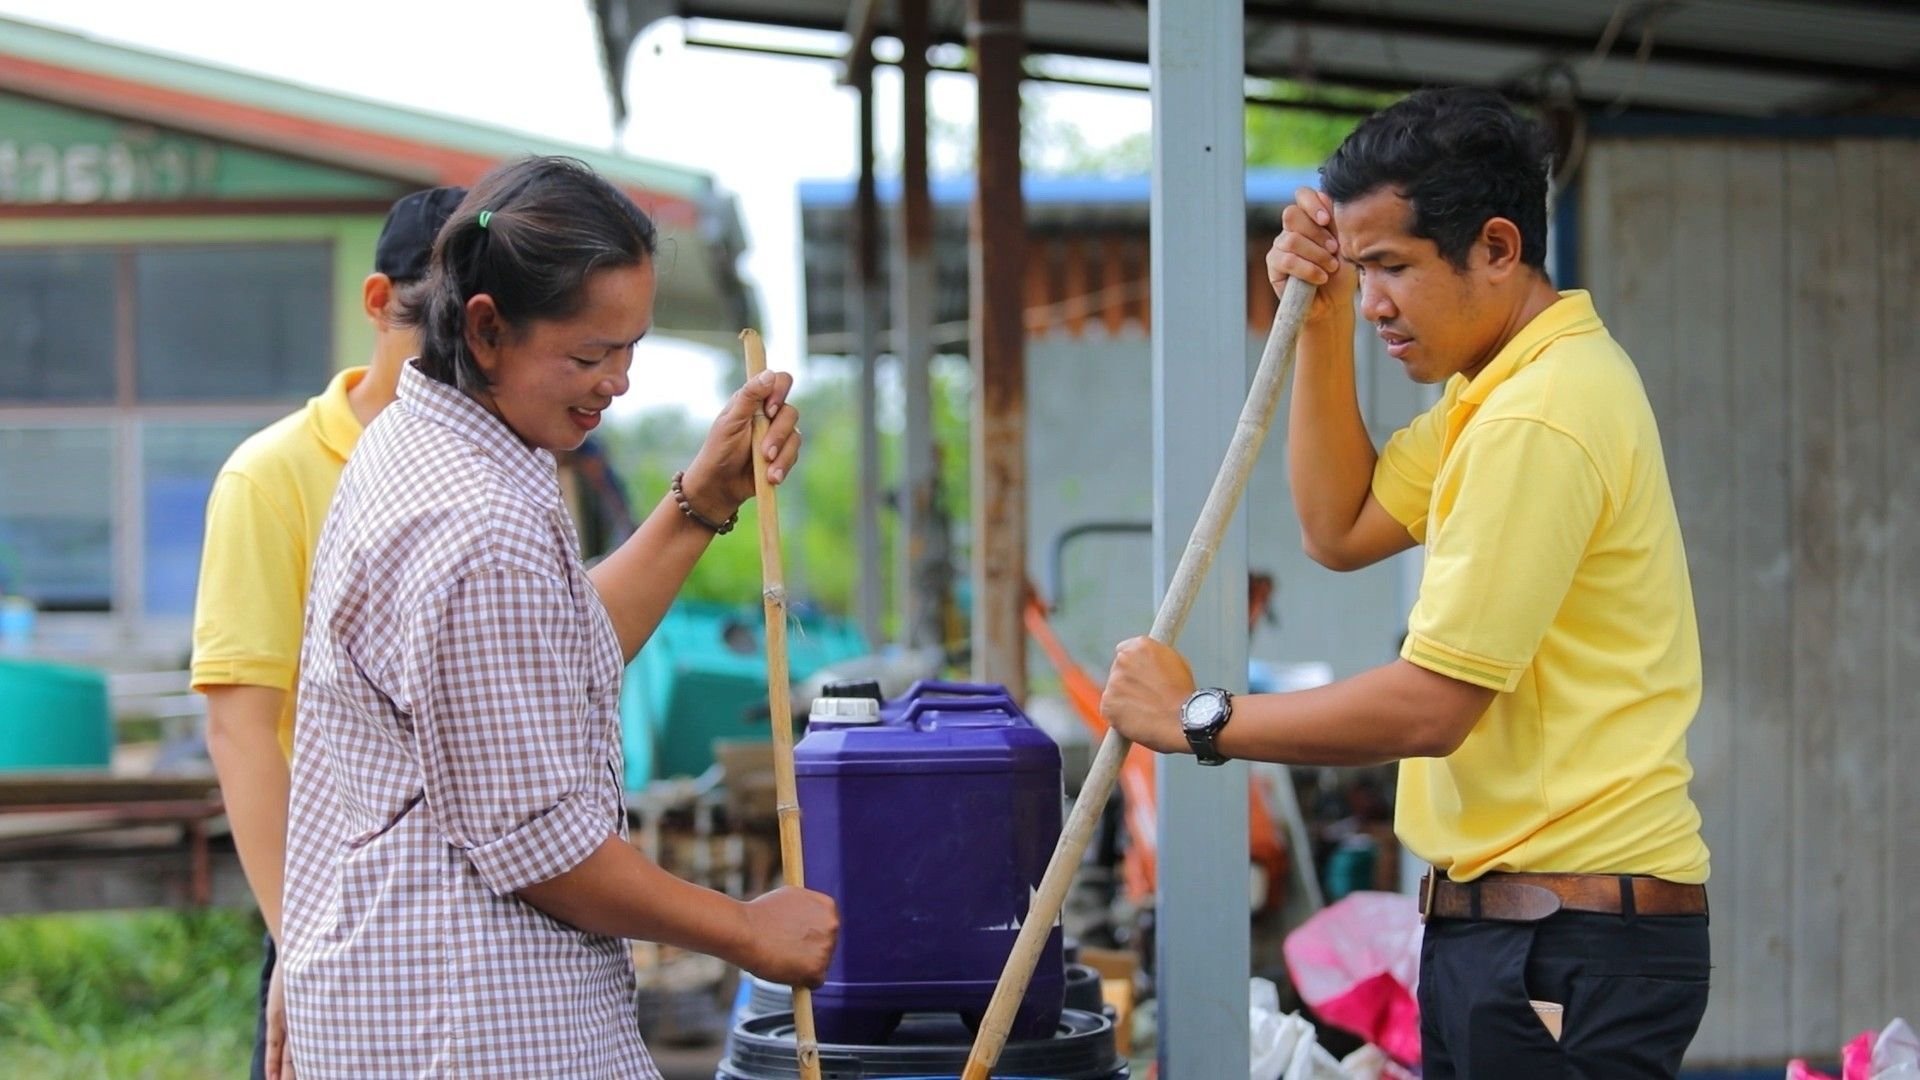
[[756, 124]]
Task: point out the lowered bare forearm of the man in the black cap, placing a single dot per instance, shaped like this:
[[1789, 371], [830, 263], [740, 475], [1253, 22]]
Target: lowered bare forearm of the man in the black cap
[[256, 783]]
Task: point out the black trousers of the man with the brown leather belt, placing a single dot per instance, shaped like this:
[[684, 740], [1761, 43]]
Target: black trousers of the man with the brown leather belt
[[1633, 991]]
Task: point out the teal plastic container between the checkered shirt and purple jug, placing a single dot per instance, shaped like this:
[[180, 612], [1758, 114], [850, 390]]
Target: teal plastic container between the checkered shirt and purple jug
[[704, 677]]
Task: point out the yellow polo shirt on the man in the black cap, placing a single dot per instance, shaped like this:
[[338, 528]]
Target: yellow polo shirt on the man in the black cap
[[264, 526]]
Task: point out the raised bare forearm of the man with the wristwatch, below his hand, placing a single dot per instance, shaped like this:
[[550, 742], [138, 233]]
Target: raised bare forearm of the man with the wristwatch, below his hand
[[1330, 454]]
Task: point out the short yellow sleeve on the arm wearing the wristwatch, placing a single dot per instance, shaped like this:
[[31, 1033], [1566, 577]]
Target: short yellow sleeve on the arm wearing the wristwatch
[[1522, 504]]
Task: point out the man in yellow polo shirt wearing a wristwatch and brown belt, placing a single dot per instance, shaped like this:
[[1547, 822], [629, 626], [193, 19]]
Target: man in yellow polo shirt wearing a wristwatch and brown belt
[[1552, 660]]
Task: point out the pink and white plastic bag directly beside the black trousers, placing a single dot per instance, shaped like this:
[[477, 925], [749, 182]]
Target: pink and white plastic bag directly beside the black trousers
[[1358, 964]]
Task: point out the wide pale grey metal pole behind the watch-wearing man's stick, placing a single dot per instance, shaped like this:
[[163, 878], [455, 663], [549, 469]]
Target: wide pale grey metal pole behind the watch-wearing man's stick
[[1199, 305]]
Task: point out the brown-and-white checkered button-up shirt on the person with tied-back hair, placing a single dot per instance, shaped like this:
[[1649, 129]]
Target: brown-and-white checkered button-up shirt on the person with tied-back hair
[[458, 741]]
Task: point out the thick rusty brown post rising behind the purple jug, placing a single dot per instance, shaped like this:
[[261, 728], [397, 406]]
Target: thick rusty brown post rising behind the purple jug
[[997, 239]]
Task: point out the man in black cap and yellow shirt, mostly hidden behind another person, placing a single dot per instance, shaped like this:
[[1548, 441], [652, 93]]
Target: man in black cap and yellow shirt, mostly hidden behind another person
[[264, 524]]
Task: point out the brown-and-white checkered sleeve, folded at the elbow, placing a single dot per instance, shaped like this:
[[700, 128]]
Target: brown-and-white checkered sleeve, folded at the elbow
[[512, 768]]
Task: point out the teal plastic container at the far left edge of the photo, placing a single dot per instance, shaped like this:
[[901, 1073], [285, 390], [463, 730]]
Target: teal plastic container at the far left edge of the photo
[[53, 718]]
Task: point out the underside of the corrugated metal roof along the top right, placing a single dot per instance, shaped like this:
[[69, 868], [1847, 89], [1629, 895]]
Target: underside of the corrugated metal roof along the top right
[[1704, 57]]
